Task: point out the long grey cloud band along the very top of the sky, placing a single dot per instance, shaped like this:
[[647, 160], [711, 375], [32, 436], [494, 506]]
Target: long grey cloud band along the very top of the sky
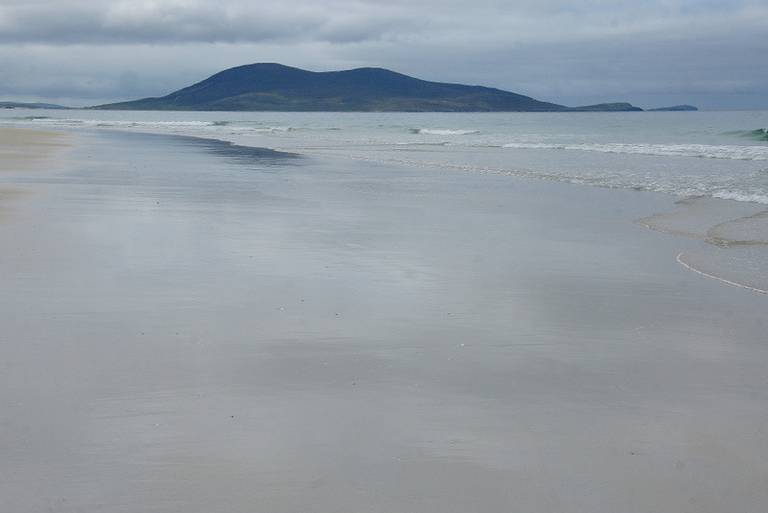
[[239, 21]]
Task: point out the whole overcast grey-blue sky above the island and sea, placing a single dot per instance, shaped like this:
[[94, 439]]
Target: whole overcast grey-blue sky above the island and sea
[[710, 53]]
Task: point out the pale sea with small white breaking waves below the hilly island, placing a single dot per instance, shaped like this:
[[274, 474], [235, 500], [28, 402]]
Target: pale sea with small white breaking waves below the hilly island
[[716, 154]]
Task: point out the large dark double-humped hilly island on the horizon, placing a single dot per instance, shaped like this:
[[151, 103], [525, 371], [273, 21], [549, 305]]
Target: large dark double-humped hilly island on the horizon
[[275, 87]]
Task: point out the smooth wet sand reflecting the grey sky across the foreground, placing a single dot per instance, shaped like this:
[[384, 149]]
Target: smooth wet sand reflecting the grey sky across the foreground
[[192, 326]]
